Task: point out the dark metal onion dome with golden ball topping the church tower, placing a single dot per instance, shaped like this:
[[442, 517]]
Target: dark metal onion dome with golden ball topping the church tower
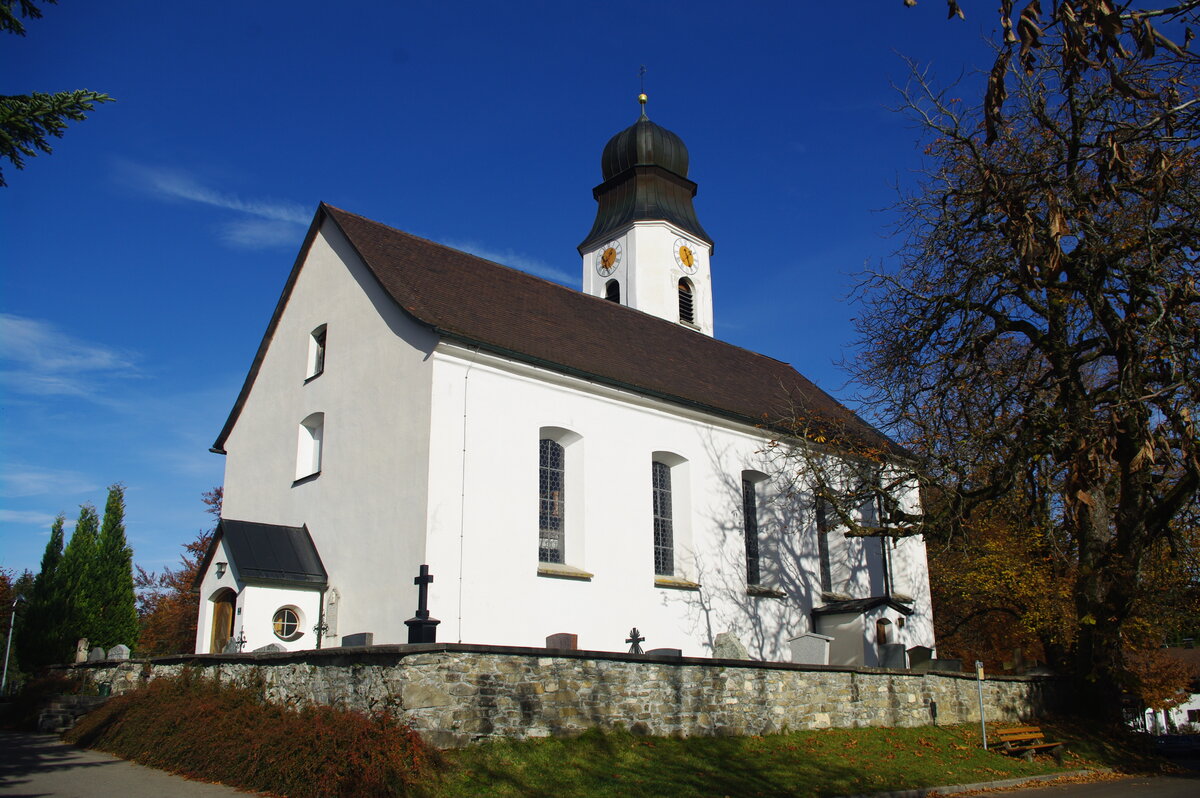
[[645, 171]]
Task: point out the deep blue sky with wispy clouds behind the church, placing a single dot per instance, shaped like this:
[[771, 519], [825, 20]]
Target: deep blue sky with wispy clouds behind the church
[[140, 263]]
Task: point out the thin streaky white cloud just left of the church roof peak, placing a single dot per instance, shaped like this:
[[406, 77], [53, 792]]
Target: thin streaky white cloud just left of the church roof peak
[[262, 224]]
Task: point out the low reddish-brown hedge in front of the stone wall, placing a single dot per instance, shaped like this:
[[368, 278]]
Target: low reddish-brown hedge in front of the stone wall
[[220, 733]]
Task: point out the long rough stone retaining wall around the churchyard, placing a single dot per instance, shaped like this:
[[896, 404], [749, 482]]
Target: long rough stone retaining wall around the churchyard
[[455, 694]]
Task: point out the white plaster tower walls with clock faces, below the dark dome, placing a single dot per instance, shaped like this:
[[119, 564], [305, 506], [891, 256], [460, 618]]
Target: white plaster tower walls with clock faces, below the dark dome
[[650, 275]]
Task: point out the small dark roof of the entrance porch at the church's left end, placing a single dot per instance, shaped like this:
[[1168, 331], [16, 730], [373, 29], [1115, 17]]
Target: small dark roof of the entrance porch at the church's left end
[[267, 553]]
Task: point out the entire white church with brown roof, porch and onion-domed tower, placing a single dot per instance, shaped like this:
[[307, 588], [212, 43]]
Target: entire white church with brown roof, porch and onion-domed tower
[[565, 461]]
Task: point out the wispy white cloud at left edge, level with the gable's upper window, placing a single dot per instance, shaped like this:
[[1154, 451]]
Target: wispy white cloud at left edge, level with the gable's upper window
[[41, 361]]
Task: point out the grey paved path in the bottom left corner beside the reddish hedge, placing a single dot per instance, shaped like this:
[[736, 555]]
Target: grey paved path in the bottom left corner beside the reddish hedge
[[35, 766]]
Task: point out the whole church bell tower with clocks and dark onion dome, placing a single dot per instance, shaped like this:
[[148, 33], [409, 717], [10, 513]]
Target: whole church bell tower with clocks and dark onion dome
[[647, 249]]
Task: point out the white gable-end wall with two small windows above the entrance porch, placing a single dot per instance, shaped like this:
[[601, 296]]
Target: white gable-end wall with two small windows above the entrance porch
[[367, 511]]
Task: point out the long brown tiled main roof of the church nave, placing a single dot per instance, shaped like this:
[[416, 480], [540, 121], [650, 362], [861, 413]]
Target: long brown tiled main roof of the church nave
[[509, 313]]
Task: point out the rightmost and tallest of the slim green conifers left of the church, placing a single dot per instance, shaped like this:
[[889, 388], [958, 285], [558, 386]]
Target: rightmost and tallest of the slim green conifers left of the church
[[117, 617]]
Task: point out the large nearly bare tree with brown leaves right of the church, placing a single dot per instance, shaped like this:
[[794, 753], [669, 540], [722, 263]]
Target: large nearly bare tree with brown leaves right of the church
[[1037, 344]]
